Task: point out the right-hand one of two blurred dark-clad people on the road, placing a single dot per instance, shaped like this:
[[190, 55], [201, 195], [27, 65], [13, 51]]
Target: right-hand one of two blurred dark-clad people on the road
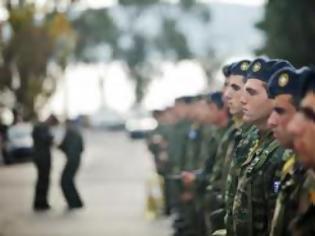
[[72, 146]]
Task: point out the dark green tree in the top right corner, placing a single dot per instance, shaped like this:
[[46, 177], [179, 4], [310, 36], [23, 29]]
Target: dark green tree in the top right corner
[[289, 26]]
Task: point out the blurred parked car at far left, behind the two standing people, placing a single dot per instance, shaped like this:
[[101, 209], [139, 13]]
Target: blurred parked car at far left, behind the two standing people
[[19, 144]]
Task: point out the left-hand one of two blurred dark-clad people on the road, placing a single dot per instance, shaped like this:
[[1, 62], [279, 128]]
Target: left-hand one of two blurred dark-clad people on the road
[[43, 141]]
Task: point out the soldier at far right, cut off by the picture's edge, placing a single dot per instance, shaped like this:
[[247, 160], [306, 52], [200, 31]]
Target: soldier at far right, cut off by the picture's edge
[[303, 130]]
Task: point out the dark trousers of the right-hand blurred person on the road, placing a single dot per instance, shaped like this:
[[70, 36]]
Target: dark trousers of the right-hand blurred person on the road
[[67, 182]]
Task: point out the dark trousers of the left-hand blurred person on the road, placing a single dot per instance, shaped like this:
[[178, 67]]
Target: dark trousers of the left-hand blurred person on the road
[[43, 165]]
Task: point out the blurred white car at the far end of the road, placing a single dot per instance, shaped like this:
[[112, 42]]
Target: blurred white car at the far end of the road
[[139, 124]]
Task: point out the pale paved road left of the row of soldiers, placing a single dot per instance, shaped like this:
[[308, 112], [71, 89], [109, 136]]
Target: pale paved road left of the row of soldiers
[[111, 181]]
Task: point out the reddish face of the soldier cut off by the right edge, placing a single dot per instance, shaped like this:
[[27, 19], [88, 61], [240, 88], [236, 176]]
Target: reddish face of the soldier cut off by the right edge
[[302, 127]]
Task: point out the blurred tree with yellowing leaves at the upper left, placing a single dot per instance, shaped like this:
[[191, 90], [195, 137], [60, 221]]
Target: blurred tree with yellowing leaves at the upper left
[[33, 45]]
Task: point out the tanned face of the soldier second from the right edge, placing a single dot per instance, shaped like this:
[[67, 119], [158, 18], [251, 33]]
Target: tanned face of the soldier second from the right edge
[[282, 113]]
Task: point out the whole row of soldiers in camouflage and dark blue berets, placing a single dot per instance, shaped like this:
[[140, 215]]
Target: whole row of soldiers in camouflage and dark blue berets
[[240, 162]]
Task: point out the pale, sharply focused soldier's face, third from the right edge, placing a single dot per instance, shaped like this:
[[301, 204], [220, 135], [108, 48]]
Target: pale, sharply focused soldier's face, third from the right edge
[[256, 105]]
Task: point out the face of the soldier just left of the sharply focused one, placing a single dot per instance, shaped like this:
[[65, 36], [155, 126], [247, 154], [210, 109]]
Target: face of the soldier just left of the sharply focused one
[[233, 94]]
